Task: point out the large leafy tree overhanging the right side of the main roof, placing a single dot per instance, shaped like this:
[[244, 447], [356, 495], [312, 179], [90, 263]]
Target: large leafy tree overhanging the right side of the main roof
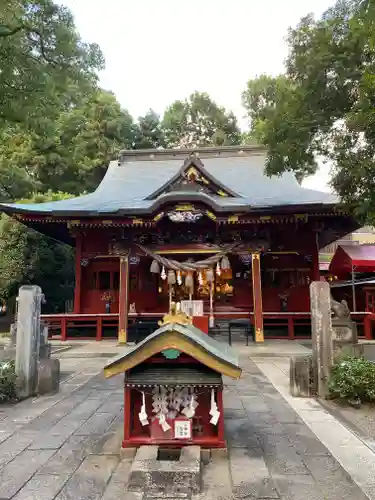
[[324, 104]]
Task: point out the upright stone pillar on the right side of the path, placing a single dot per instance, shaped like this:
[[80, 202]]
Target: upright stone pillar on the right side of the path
[[321, 334]]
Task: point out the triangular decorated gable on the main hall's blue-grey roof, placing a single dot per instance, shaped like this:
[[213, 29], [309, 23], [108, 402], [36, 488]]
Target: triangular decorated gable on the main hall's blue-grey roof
[[195, 178]]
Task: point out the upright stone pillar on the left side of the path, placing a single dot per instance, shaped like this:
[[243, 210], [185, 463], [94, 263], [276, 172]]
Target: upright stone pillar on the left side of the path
[[28, 338]]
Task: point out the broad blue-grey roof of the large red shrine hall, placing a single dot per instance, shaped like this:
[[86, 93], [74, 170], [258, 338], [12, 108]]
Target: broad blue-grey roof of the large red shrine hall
[[142, 181]]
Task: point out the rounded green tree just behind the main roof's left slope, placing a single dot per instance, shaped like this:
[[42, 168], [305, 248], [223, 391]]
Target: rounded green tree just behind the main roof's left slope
[[85, 139]]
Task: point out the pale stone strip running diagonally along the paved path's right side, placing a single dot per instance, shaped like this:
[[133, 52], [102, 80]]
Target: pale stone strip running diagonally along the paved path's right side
[[347, 454]]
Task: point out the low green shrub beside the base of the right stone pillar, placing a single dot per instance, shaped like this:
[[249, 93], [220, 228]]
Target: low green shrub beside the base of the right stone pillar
[[353, 379]]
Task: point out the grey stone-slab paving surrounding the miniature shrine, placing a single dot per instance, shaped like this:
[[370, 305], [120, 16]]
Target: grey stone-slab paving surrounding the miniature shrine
[[66, 446]]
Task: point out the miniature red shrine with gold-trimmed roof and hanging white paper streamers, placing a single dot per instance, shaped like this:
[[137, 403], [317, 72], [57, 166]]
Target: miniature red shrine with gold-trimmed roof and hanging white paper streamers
[[173, 386]]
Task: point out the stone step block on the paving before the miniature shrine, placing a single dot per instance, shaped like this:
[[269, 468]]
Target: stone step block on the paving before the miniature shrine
[[169, 477]]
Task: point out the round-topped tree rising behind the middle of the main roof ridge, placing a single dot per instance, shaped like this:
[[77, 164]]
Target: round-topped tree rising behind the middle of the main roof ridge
[[199, 121]]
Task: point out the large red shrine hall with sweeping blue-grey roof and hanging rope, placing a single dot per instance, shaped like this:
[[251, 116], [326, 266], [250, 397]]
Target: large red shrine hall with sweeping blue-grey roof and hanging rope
[[203, 224]]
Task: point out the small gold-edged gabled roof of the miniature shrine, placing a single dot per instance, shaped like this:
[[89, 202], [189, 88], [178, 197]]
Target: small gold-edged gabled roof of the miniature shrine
[[185, 338]]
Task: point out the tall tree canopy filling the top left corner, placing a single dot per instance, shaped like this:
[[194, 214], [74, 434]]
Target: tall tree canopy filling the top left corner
[[44, 62]]
